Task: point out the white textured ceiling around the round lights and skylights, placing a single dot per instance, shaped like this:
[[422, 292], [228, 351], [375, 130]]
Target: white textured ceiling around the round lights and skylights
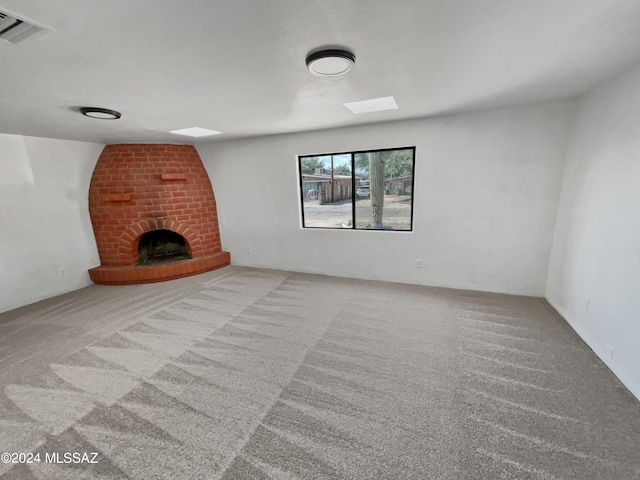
[[237, 66]]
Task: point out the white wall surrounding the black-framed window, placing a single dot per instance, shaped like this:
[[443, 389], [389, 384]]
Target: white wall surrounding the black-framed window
[[487, 187]]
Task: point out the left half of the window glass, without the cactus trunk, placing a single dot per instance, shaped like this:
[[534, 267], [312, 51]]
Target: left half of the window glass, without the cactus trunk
[[327, 191]]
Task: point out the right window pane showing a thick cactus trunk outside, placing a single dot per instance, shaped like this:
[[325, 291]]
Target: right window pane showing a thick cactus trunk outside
[[385, 189]]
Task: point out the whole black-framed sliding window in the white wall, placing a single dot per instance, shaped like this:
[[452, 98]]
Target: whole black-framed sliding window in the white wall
[[370, 190]]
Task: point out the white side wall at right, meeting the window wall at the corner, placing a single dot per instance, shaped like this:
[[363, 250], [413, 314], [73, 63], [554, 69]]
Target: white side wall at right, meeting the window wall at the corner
[[596, 252]]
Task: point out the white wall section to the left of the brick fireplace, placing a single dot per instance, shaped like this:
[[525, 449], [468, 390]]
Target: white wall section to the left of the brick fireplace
[[44, 218]]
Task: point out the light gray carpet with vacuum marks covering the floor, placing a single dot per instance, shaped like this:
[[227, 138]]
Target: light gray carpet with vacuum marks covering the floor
[[258, 374]]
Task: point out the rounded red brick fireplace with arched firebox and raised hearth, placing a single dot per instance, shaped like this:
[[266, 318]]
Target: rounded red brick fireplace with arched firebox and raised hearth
[[154, 215]]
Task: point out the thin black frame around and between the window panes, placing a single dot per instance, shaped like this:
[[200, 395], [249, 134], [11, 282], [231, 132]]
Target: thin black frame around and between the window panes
[[353, 154]]
